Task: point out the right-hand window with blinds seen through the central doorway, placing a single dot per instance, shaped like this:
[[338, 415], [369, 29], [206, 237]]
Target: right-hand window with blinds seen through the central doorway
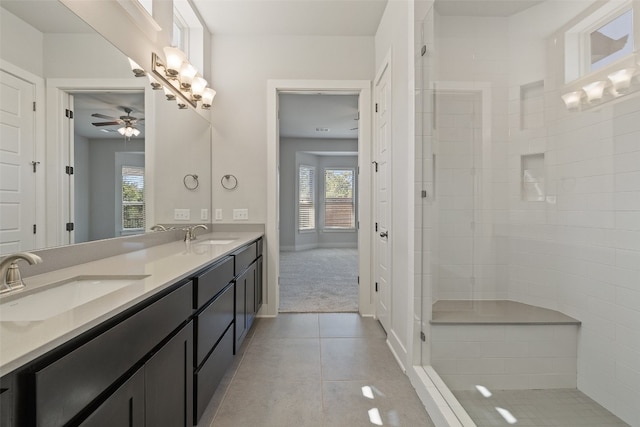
[[339, 203]]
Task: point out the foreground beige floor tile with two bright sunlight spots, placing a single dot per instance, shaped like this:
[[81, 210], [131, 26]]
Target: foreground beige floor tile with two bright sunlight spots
[[367, 403]]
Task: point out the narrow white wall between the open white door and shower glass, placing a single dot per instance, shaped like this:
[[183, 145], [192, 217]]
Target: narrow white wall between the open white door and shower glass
[[395, 35]]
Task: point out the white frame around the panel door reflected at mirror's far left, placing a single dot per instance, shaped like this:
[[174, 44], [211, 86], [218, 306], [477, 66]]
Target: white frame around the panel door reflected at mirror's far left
[[39, 146]]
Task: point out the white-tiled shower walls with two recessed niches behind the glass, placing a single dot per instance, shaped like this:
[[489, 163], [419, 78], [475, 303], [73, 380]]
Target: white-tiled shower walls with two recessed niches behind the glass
[[522, 196]]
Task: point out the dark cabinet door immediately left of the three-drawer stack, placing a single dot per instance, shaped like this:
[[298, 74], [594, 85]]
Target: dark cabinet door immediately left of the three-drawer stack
[[169, 383]]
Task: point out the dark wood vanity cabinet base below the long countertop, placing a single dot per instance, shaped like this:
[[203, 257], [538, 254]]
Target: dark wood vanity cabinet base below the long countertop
[[155, 365]]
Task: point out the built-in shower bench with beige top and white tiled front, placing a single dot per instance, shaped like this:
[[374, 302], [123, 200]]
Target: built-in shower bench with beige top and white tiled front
[[502, 344]]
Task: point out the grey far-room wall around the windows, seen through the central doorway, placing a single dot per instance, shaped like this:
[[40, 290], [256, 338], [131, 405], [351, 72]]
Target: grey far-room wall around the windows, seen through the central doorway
[[289, 235]]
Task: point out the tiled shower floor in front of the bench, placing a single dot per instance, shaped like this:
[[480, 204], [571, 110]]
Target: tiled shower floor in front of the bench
[[559, 408]]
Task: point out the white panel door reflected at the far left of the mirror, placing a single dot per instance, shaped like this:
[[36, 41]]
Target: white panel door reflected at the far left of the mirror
[[17, 177]]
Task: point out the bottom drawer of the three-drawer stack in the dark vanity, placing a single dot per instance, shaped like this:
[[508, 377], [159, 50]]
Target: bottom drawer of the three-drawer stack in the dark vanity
[[210, 374]]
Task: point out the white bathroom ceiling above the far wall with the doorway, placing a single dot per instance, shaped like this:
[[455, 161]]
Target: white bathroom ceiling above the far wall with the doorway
[[292, 17]]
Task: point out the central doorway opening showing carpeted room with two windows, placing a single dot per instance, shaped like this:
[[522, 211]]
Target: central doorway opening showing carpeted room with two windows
[[318, 202]]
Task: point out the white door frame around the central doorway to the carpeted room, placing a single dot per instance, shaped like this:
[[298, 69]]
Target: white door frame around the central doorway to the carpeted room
[[363, 89]]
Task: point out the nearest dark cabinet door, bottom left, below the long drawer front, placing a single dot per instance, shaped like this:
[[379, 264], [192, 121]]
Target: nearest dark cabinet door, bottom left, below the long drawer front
[[124, 408]]
